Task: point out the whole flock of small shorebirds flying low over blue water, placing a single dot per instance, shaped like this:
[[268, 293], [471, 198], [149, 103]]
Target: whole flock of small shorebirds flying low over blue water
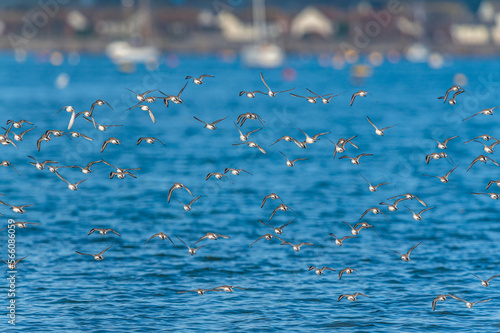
[[340, 147]]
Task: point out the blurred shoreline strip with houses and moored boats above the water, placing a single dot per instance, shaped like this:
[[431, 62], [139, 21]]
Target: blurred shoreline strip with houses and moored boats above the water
[[262, 32]]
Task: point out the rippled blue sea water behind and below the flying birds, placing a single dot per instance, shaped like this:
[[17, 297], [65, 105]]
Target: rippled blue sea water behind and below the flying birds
[[135, 288]]
